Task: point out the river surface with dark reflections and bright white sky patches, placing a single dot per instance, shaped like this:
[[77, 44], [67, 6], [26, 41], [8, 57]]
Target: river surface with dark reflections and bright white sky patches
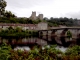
[[29, 42]]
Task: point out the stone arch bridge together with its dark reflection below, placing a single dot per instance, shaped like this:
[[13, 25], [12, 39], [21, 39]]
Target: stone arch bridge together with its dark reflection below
[[59, 36]]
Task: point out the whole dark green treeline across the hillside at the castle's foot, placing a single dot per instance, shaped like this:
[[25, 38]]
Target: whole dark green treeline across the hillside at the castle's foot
[[51, 22]]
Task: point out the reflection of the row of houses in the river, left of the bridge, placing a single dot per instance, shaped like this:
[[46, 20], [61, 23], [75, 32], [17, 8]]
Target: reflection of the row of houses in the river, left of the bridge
[[24, 41]]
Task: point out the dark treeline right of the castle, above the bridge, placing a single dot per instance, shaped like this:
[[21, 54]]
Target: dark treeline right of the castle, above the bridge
[[62, 21]]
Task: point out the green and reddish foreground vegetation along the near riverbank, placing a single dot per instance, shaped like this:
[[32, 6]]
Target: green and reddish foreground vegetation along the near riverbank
[[48, 53]]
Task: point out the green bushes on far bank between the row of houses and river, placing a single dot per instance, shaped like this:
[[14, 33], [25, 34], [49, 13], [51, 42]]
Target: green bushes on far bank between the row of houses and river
[[17, 32]]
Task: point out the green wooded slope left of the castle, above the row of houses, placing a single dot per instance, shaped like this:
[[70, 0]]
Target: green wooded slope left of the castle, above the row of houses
[[18, 20]]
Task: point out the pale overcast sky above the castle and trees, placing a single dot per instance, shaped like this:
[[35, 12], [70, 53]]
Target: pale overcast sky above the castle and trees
[[49, 8]]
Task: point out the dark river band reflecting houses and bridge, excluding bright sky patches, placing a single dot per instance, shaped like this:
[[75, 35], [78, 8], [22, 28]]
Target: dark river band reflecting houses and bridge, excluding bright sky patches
[[35, 41]]
